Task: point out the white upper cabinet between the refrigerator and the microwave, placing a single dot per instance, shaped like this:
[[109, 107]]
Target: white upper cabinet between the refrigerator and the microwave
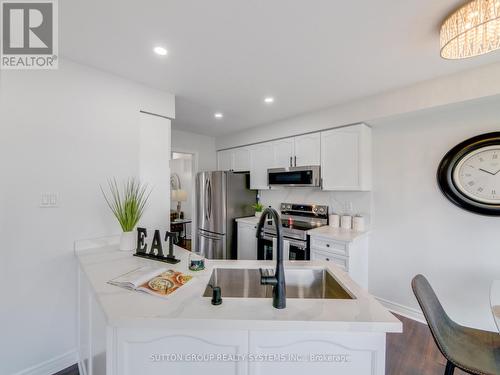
[[261, 158]]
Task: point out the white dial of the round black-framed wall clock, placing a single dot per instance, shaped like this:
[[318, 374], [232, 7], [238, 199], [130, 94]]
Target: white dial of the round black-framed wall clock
[[477, 175]]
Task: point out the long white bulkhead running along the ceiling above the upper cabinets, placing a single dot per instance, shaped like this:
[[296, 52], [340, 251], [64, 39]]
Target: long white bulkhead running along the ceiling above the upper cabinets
[[459, 87]]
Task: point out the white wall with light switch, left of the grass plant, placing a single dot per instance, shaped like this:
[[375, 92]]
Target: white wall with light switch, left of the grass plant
[[63, 131]]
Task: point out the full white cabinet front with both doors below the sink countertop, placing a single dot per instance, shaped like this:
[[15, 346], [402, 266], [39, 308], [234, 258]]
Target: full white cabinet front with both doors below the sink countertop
[[132, 351]]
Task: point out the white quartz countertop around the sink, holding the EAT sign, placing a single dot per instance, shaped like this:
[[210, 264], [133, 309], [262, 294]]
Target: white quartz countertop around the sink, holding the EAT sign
[[187, 308]]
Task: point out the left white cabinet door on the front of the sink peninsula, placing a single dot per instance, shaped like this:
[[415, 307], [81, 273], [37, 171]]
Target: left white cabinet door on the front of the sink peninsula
[[154, 352]]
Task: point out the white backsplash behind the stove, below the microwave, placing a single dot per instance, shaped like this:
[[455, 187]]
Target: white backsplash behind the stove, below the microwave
[[337, 201]]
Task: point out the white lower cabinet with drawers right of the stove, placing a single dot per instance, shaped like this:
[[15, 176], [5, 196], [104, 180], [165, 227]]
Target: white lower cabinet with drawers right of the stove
[[352, 257]]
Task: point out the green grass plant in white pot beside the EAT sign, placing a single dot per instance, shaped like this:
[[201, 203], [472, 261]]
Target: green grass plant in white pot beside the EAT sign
[[127, 204]]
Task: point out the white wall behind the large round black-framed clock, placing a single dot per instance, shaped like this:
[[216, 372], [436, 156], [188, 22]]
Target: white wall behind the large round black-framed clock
[[416, 229]]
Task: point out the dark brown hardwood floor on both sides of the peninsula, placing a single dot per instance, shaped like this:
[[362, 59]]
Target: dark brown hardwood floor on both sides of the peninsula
[[412, 352]]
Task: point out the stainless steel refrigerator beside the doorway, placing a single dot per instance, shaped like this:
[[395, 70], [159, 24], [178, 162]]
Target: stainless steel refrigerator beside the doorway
[[221, 197]]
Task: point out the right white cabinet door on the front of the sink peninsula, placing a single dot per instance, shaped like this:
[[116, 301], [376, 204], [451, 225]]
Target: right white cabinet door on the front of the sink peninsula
[[316, 352]]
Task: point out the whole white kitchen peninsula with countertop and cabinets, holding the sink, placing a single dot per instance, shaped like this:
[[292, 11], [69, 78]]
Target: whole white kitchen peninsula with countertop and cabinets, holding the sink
[[124, 332]]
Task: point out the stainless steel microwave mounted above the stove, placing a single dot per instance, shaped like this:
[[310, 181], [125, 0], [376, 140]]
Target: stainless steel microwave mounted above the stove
[[295, 176]]
